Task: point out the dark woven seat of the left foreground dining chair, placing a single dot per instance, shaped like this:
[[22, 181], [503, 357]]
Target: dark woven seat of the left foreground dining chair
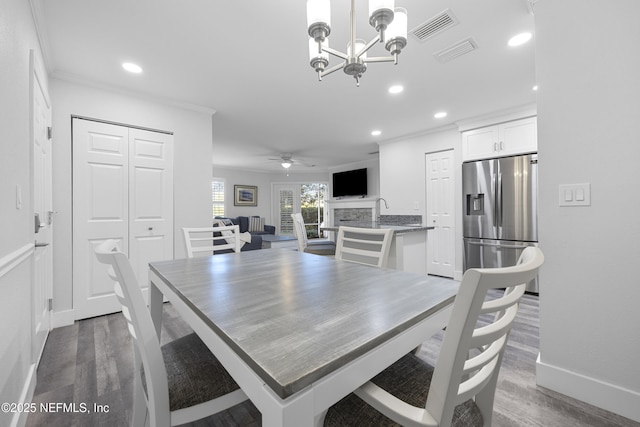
[[193, 373]]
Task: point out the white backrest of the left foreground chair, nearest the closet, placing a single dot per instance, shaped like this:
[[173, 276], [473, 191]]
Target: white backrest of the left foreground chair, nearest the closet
[[146, 343]]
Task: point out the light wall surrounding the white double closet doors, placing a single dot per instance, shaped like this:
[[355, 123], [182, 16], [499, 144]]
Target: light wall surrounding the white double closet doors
[[192, 165]]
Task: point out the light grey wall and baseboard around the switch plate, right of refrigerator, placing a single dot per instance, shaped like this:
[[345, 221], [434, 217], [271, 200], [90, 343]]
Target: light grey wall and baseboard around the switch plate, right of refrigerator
[[588, 70]]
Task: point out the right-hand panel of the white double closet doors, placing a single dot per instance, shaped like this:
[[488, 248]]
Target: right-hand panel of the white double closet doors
[[151, 201]]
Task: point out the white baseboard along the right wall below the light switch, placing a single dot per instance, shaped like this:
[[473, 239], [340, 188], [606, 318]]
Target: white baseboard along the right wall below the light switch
[[598, 393]]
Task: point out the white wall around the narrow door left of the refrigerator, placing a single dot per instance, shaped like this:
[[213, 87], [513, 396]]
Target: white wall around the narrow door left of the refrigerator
[[403, 176]]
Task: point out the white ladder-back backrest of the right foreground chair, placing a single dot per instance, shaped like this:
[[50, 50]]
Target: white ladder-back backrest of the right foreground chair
[[476, 337]]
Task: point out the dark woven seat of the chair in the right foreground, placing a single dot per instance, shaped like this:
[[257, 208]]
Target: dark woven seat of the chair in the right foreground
[[405, 379]]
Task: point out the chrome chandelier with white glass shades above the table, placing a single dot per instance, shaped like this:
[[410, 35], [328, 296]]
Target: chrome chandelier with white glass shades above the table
[[390, 22]]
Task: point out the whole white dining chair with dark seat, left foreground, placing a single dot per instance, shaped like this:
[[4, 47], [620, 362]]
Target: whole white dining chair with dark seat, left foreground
[[177, 383]]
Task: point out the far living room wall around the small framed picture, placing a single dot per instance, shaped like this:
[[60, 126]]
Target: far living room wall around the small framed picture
[[263, 181]]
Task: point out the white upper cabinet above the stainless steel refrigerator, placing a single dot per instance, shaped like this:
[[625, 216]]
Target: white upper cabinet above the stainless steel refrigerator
[[505, 139]]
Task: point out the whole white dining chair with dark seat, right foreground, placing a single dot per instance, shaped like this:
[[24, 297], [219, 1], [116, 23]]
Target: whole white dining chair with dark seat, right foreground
[[460, 390]]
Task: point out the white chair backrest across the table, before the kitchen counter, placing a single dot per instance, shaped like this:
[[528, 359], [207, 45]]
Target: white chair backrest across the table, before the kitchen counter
[[364, 245]]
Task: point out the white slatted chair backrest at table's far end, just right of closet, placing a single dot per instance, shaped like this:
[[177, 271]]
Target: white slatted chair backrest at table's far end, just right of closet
[[202, 240]]
